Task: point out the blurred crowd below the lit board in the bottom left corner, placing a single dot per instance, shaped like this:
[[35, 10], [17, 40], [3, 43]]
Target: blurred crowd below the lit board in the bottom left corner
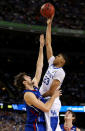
[[12, 121]]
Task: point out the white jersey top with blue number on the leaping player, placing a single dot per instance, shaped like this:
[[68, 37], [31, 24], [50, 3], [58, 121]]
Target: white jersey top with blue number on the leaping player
[[52, 73]]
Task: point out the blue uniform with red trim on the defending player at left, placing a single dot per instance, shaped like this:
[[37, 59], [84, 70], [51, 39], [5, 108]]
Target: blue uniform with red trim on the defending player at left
[[35, 117]]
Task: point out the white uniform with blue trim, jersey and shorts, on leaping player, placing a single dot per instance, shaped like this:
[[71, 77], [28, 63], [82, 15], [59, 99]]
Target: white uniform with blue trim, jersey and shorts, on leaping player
[[52, 73]]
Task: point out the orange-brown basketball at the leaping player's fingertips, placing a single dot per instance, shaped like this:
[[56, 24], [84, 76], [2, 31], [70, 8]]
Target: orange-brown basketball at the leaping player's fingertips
[[47, 10]]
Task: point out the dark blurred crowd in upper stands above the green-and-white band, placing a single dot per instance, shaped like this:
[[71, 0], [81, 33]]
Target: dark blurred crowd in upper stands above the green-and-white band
[[69, 13]]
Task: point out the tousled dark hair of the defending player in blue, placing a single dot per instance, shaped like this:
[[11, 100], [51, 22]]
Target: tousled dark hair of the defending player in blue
[[18, 81]]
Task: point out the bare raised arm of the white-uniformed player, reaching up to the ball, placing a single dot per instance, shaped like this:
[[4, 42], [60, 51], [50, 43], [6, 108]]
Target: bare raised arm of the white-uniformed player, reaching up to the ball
[[48, 39]]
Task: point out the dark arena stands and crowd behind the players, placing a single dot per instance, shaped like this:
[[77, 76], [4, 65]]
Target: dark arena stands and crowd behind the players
[[20, 27]]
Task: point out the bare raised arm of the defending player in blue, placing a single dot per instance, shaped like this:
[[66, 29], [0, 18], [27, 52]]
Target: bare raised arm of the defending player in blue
[[39, 64]]
